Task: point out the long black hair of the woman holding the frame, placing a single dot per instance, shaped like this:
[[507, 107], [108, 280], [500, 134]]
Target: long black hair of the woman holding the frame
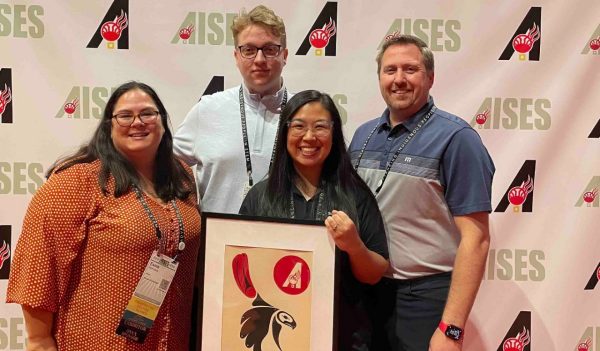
[[338, 175]]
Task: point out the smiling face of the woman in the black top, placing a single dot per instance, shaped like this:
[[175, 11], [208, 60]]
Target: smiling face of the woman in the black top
[[310, 151]]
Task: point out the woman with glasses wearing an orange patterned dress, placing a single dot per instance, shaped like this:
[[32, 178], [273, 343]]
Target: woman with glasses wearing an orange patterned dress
[[91, 229]]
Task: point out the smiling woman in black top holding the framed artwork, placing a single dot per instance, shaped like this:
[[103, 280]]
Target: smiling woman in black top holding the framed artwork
[[312, 178]]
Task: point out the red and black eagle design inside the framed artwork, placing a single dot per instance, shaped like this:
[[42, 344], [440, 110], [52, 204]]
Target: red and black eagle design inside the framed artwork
[[257, 320]]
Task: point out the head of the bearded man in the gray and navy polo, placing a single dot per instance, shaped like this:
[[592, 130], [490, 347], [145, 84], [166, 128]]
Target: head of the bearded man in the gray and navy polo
[[403, 80]]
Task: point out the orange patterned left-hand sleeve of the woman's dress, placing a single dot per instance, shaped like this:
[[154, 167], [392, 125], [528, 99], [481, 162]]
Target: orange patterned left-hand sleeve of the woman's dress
[[53, 233]]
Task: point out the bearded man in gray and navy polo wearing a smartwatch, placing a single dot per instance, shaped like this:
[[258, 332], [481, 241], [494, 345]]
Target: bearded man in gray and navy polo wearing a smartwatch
[[432, 178]]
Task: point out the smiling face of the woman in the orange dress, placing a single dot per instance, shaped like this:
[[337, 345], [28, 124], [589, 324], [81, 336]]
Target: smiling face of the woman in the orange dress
[[140, 140]]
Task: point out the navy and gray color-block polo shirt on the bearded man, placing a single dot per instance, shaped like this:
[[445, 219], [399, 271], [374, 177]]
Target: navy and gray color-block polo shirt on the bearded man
[[444, 171]]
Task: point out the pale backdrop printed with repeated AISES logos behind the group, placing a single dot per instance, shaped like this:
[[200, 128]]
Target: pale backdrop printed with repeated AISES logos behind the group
[[524, 74]]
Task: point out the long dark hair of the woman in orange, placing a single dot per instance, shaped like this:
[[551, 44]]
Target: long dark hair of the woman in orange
[[171, 180]]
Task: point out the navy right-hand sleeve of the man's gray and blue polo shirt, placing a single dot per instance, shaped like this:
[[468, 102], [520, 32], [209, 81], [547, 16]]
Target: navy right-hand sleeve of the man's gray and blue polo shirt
[[467, 171]]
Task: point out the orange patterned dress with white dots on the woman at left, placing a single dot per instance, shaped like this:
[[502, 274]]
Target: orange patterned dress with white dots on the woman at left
[[81, 255]]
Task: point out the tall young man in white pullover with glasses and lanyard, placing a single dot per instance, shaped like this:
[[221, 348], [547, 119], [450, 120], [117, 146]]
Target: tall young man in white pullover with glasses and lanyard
[[229, 135]]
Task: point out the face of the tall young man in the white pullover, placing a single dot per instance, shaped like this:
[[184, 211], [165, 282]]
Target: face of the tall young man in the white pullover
[[261, 75]]
